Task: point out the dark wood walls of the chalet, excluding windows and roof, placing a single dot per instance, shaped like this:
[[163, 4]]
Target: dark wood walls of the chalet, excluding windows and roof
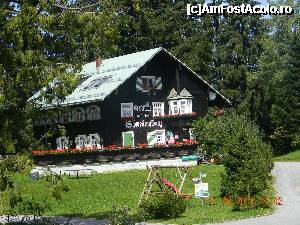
[[110, 127]]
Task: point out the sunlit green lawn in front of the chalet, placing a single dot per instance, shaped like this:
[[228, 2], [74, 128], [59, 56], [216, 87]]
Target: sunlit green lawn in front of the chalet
[[94, 196]]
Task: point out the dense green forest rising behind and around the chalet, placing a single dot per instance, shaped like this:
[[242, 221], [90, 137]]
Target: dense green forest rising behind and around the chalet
[[253, 60]]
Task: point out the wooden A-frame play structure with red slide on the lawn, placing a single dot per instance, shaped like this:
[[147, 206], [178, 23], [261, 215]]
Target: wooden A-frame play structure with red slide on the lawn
[[155, 177]]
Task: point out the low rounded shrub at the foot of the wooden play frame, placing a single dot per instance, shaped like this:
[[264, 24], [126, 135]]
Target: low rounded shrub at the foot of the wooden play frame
[[165, 204]]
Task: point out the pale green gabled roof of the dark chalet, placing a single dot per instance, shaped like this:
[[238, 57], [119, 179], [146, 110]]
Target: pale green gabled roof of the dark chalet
[[112, 73]]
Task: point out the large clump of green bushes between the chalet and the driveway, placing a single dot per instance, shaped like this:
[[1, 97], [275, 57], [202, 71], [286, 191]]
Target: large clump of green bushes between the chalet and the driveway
[[247, 159]]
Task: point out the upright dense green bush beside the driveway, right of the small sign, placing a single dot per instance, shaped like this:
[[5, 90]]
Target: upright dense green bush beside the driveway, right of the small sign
[[247, 165]]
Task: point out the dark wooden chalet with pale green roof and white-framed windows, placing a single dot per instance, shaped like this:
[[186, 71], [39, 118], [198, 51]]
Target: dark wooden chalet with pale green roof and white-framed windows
[[145, 97]]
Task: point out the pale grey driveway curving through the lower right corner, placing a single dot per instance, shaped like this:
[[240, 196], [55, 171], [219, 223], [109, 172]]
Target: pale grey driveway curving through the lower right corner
[[287, 183]]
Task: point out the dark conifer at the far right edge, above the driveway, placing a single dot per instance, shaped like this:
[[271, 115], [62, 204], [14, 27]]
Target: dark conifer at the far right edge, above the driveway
[[285, 112]]
